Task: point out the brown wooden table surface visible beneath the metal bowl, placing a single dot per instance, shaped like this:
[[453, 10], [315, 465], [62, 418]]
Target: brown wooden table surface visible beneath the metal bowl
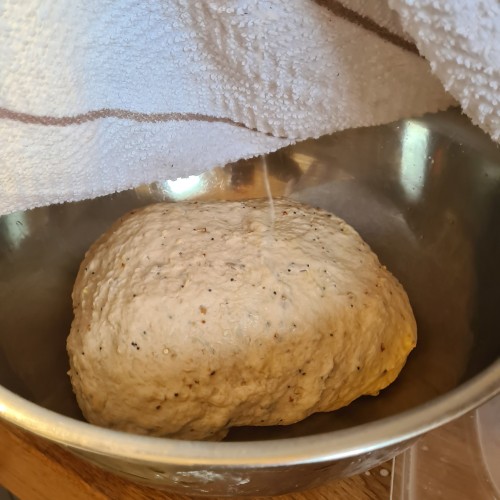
[[34, 469]]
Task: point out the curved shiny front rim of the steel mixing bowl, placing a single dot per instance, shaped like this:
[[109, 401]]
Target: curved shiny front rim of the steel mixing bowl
[[321, 447]]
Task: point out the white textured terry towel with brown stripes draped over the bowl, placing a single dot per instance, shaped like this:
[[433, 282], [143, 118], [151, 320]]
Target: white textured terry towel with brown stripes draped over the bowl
[[97, 96]]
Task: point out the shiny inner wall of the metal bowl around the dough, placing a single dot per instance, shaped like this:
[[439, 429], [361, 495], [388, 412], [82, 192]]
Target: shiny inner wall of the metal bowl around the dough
[[425, 194]]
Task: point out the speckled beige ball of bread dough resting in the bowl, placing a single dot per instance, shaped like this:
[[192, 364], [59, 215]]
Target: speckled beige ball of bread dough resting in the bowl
[[191, 318]]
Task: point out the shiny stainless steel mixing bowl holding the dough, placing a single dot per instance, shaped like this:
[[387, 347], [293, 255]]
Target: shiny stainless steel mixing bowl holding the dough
[[424, 193]]
